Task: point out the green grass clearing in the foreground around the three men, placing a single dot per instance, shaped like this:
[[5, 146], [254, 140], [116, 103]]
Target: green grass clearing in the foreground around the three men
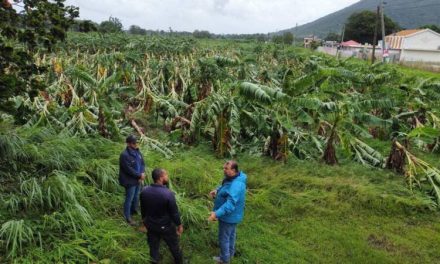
[[299, 212]]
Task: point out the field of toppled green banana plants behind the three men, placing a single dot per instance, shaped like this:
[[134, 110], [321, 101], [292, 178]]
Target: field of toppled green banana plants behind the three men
[[256, 98]]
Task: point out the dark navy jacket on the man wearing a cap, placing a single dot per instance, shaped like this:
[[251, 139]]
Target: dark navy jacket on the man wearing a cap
[[131, 165]]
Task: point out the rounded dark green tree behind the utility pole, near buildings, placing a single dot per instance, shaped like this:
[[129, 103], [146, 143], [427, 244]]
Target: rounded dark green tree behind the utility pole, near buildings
[[360, 26]]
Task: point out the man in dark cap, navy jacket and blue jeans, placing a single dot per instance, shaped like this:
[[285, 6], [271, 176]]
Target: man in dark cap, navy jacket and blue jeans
[[131, 175]]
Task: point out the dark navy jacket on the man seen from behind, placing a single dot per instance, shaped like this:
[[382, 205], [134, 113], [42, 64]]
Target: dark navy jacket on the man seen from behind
[[158, 207]]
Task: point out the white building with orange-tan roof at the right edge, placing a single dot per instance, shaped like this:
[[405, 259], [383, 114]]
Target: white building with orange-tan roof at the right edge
[[416, 45]]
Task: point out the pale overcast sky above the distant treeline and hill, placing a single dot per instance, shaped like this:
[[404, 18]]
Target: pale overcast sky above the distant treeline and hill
[[216, 16]]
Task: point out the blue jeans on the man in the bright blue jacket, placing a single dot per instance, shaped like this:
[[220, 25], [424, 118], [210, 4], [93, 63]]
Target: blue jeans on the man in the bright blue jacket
[[226, 239]]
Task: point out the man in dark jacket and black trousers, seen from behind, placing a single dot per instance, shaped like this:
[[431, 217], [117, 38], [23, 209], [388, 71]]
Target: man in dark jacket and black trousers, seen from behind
[[161, 216]]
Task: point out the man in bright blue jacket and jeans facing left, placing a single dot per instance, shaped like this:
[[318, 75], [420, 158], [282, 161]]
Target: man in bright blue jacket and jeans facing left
[[229, 209]]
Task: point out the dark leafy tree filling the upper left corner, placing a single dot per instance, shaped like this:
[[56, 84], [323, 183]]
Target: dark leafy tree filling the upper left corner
[[39, 26]]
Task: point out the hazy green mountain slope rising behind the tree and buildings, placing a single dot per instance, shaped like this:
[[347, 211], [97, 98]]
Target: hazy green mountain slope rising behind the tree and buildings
[[407, 13]]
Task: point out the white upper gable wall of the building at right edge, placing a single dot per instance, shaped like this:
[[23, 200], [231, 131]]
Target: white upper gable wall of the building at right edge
[[425, 40]]
